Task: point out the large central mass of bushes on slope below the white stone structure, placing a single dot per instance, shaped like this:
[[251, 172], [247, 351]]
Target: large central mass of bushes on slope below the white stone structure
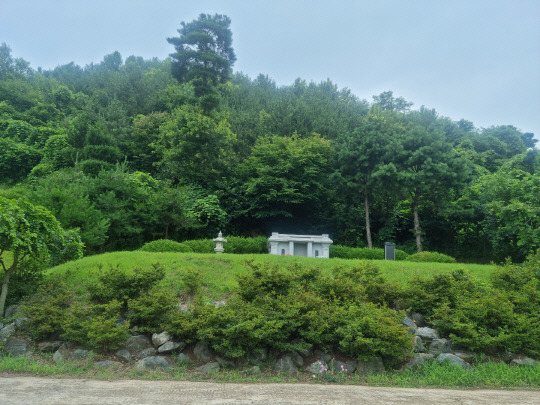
[[293, 309]]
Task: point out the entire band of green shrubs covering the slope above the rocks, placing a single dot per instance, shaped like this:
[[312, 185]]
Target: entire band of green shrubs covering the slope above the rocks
[[348, 308]]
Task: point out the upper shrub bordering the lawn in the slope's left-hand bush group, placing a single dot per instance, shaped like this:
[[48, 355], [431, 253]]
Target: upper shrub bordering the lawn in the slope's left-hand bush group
[[116, 284]]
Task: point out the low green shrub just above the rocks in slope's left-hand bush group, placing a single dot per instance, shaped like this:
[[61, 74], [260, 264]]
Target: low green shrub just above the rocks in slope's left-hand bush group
[[96, 326]]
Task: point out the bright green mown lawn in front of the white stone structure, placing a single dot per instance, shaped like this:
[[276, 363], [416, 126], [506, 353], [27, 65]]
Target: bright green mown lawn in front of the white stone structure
[[219, 271]]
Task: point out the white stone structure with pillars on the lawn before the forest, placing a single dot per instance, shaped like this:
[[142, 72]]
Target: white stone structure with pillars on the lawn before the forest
[[300, 245]]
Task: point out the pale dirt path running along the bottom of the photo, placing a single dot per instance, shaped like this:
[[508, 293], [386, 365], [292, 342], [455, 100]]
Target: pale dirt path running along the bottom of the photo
[[45, 391]]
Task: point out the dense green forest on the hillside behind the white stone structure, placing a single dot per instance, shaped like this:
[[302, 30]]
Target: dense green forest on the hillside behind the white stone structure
[[133, 150]]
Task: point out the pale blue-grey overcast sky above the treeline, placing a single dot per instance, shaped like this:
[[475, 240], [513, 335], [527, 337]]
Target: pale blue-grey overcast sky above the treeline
[[472, 59]]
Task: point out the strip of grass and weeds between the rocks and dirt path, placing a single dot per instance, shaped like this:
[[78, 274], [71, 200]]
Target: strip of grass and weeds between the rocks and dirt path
[[433, 374]]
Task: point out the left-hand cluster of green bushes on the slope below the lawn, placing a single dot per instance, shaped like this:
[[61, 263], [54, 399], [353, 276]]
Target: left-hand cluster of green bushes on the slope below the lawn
[[55, 312]]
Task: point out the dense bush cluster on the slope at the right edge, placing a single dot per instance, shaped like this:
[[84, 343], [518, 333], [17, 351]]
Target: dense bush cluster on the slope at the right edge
[[502, 316]]
